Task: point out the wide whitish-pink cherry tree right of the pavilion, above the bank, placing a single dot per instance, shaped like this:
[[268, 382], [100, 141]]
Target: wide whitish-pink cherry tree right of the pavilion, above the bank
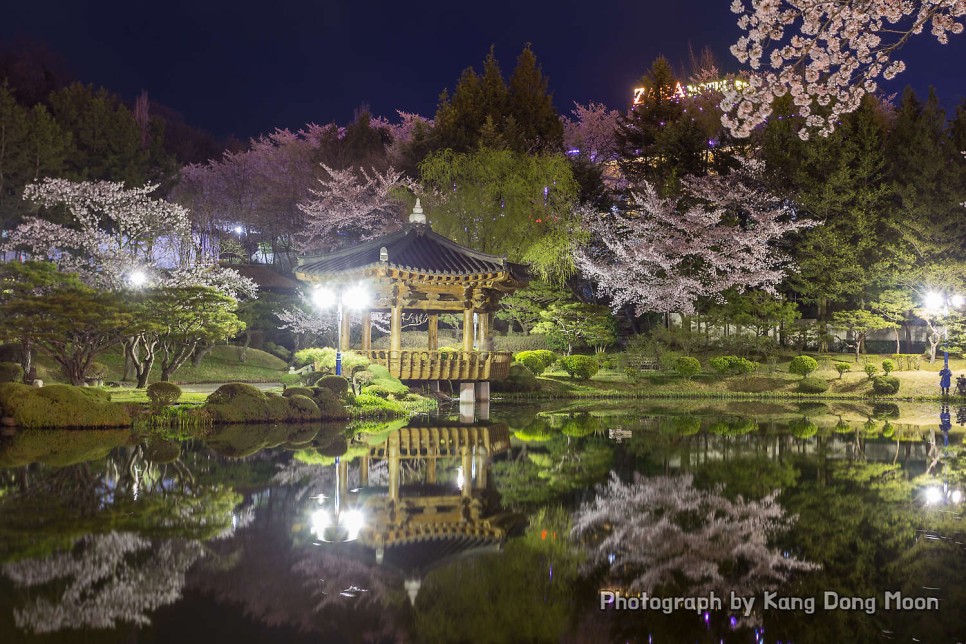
[[662, 254]]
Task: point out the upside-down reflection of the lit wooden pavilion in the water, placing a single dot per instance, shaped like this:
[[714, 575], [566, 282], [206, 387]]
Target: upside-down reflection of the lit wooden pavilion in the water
[[438, 505]]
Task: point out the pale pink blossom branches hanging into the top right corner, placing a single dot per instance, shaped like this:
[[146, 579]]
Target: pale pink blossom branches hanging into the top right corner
[[827, 55]]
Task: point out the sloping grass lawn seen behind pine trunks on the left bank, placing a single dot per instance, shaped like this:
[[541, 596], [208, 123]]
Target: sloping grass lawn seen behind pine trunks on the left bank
[[222, 364]]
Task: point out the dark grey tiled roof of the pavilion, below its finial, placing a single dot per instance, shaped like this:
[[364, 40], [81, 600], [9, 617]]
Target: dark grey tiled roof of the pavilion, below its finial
[[415, 248]]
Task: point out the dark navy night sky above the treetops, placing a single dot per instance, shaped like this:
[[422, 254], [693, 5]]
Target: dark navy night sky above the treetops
[[244, 68]]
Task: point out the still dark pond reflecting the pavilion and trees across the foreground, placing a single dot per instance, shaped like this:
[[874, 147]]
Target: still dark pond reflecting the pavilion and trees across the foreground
[[665, 521]]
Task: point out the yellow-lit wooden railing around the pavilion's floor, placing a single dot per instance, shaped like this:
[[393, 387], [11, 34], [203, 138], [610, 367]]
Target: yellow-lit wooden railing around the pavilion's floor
[[440, 365]]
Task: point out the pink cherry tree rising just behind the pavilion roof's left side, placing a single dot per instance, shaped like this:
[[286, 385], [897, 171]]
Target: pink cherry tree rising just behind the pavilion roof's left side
[[352, 203]]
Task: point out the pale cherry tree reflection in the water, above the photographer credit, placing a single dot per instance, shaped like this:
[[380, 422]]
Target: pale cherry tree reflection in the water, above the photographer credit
[[662, 533]]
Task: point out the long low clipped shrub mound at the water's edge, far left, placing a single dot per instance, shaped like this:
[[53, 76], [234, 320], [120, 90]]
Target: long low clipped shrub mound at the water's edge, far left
[[61, 406]]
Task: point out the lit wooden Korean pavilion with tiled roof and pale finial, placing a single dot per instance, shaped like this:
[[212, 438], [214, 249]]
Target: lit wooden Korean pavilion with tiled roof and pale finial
[[416, 270]]
